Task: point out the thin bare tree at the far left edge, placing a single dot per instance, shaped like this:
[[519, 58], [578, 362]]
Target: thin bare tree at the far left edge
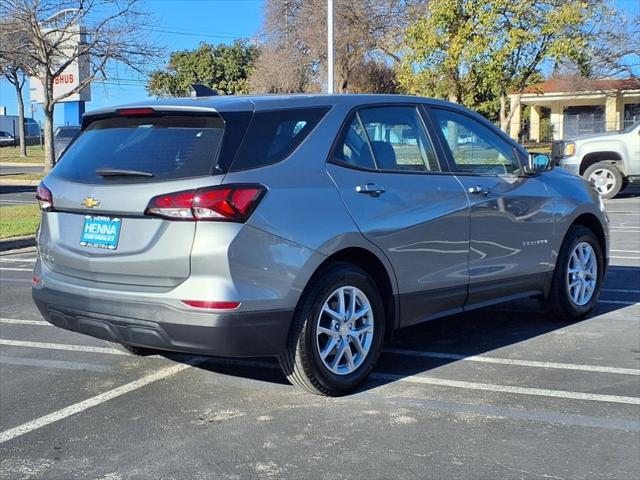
[[12, 67]]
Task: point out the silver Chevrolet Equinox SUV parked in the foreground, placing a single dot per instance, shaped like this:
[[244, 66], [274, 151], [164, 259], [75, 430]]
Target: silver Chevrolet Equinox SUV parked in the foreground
[[304, 227]]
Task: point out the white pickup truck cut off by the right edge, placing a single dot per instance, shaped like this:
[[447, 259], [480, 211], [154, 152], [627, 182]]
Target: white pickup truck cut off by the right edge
[[609, 160]]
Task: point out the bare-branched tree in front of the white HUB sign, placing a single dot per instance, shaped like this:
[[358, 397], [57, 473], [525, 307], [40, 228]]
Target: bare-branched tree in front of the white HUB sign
[[99, 35]]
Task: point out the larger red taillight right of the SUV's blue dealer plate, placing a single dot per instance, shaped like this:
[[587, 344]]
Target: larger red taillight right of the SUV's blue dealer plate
[[233, 203]]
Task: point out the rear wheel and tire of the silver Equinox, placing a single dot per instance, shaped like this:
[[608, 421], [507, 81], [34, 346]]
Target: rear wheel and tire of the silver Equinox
[[302, 361]]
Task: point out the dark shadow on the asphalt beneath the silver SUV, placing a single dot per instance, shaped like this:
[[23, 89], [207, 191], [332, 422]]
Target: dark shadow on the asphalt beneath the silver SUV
[[471, 333]]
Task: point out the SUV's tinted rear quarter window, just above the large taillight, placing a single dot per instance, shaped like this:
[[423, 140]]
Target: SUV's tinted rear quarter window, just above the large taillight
[[273, 135]]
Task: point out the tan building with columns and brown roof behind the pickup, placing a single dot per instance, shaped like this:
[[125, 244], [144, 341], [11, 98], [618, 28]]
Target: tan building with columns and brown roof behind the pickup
[[566, 107]]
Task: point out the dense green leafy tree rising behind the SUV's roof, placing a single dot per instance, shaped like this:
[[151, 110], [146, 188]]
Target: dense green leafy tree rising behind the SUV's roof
[[225, 68]]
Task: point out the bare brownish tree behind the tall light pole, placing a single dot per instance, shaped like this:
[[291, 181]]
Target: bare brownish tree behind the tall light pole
[[367, 35]]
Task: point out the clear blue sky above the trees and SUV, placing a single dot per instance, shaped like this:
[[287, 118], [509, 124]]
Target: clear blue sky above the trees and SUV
[[183, 24]]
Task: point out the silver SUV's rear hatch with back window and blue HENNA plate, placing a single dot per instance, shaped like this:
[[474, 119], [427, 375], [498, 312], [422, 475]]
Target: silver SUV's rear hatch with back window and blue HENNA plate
[[97, 229]]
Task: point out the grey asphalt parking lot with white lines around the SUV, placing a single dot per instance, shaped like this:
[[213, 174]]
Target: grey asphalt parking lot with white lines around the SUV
[[502, 392]]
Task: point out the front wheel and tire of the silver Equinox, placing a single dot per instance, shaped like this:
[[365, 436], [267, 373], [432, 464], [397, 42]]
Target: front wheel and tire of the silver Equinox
[[560, 302]]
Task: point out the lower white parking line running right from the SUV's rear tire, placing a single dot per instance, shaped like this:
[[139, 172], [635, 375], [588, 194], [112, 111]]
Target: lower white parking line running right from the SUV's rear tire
[[541, 392]]
